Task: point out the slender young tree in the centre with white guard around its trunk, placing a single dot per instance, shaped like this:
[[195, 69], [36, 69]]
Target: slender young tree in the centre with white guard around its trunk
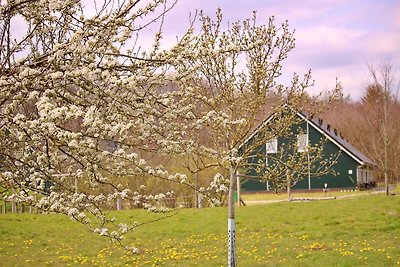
[[232, 76]]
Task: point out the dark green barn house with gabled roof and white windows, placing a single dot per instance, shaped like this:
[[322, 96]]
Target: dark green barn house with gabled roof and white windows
[[352, 169]]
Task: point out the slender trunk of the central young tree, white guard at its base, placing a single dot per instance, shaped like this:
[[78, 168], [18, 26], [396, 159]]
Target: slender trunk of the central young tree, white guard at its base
[[231, 220]]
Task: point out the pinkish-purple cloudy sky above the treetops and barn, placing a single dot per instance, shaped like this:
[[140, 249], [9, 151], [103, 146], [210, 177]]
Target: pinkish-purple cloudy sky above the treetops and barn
[[334, 38]]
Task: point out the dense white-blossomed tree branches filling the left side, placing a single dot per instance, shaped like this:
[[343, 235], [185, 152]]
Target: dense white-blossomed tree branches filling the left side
[[80, 99]]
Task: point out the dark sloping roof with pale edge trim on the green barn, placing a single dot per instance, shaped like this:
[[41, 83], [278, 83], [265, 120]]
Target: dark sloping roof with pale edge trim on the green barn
[[325, 130]]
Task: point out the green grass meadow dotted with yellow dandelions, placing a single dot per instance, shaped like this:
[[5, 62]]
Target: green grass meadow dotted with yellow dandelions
[[363, 231]]
